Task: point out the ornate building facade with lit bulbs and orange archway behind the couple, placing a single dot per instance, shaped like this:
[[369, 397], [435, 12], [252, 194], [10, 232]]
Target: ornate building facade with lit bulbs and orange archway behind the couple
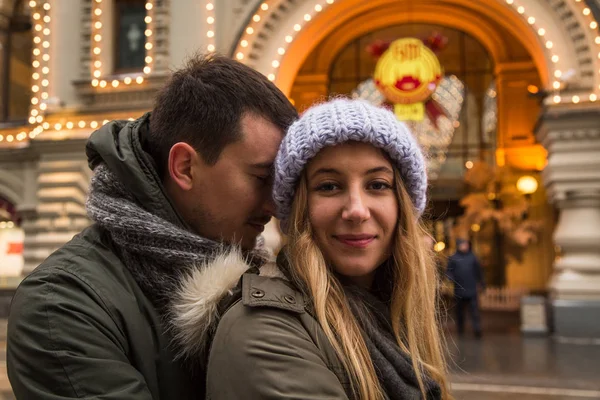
[[532, 67]]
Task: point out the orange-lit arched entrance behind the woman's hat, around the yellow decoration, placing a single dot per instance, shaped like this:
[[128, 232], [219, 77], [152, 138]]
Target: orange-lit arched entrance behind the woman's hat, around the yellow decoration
[[473, 140]]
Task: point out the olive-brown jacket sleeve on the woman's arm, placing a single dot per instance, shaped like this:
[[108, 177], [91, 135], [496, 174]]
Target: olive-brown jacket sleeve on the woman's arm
[[266, 353]]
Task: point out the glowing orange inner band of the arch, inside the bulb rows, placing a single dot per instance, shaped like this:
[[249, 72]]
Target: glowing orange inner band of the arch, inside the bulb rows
[[464, 15]]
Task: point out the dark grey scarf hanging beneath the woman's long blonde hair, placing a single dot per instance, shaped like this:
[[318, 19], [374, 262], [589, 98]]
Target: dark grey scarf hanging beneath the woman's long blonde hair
[[393, 367]]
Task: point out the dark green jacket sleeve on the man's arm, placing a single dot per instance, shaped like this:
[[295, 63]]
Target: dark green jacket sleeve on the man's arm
[[63, 344]]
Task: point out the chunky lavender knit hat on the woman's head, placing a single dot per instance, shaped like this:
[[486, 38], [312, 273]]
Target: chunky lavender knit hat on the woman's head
[[339, 121]]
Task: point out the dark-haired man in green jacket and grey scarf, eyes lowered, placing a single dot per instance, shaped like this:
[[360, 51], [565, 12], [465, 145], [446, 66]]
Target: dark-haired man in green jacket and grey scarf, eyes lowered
[[170, 189]]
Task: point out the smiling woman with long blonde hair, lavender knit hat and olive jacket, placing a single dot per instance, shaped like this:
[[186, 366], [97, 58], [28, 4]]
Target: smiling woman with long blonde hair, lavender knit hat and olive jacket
[[350, 313]]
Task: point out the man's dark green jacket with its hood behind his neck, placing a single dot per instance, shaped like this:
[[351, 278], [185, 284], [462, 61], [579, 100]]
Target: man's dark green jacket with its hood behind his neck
[[79, 325]]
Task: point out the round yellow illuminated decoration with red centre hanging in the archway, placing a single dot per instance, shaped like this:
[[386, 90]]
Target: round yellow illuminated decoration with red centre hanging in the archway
[[407, 74]]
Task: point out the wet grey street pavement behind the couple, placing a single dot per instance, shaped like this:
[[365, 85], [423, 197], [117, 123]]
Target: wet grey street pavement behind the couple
[[501, 365]]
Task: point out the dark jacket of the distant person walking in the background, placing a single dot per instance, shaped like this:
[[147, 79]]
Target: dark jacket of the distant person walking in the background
[[465, 271]]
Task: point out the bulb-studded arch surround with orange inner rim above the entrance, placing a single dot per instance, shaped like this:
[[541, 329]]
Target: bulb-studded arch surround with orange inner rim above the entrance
[[559, 35]]
